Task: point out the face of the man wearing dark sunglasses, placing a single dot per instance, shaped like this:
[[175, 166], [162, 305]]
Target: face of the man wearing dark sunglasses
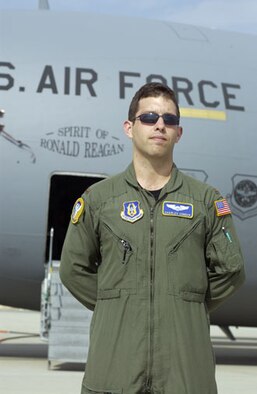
[[154, 140]]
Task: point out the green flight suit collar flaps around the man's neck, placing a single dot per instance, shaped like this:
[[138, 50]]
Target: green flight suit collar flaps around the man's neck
[[173, 184]]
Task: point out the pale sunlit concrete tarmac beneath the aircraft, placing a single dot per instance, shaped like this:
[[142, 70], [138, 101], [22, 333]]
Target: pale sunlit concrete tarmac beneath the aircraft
[[24, 365]]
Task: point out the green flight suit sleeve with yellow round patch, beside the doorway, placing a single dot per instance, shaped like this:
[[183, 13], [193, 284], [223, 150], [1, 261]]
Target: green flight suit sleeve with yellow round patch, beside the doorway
[[80, 256]]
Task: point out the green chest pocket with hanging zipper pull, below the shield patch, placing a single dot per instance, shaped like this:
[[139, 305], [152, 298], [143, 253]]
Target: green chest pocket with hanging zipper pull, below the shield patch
[[118, 269]]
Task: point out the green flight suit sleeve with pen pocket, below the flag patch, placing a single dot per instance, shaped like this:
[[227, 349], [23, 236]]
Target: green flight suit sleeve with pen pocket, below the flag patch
[[225, 266]]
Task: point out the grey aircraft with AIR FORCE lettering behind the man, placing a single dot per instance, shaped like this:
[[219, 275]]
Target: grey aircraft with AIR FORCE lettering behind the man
[[66, 80]]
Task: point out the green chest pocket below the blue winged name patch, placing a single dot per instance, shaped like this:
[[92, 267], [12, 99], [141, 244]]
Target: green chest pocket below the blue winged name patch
[[187, 274]]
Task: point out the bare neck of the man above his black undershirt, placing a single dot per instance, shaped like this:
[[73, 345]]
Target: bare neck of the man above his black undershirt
[[152, 175]]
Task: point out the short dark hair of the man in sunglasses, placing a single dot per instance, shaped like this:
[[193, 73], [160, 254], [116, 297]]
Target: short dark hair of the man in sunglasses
[[152, 89]]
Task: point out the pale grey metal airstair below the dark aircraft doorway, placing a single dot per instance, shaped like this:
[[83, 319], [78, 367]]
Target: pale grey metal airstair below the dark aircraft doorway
[[65, 323]]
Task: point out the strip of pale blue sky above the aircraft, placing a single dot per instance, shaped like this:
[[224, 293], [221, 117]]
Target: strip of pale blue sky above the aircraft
[[232, 15]]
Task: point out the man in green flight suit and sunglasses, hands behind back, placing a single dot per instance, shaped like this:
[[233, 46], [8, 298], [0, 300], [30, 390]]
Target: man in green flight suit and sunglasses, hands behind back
[[152, 252]]
